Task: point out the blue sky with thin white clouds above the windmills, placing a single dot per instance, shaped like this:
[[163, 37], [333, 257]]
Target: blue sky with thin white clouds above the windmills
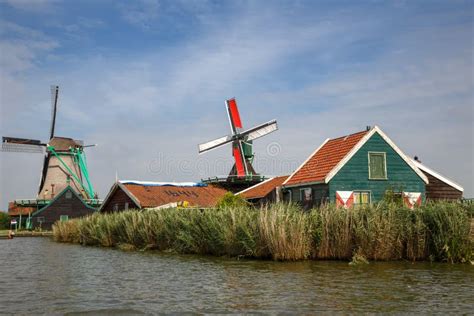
[[147, 80]]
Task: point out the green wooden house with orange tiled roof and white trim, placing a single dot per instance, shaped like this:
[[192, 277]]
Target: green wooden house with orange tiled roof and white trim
[[356, 169]]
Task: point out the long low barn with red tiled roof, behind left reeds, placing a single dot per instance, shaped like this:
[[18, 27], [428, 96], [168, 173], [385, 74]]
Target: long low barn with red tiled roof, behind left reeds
[[125, 195]]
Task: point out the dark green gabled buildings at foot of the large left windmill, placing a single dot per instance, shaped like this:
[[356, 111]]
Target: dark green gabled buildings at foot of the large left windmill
[[64, 206]]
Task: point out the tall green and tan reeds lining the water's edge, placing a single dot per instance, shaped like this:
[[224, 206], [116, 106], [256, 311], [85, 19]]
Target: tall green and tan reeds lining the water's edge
[[437, 231]]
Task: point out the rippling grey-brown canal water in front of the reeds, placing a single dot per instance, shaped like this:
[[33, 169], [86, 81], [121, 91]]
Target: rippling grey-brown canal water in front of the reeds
[[39, 276]]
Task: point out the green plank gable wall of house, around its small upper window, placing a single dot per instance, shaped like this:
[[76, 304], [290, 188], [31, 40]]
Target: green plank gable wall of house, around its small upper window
[[354, 175]]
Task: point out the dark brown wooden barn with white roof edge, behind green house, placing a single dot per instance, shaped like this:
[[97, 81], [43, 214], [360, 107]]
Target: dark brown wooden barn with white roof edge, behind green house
[[439, 186]]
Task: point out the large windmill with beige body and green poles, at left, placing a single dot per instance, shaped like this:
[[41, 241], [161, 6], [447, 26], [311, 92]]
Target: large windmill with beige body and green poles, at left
[[64, 159]]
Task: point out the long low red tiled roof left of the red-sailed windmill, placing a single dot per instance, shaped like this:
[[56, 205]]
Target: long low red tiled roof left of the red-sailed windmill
[[154, 196]]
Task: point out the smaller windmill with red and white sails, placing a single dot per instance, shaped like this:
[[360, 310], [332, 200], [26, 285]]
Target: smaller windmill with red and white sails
[[241, 140]]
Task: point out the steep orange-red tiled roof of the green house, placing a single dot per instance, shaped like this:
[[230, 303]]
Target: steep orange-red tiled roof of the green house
[[325, 159]]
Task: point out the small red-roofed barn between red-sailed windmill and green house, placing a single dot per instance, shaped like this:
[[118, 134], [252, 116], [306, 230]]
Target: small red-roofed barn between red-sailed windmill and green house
[[268, 191]]
